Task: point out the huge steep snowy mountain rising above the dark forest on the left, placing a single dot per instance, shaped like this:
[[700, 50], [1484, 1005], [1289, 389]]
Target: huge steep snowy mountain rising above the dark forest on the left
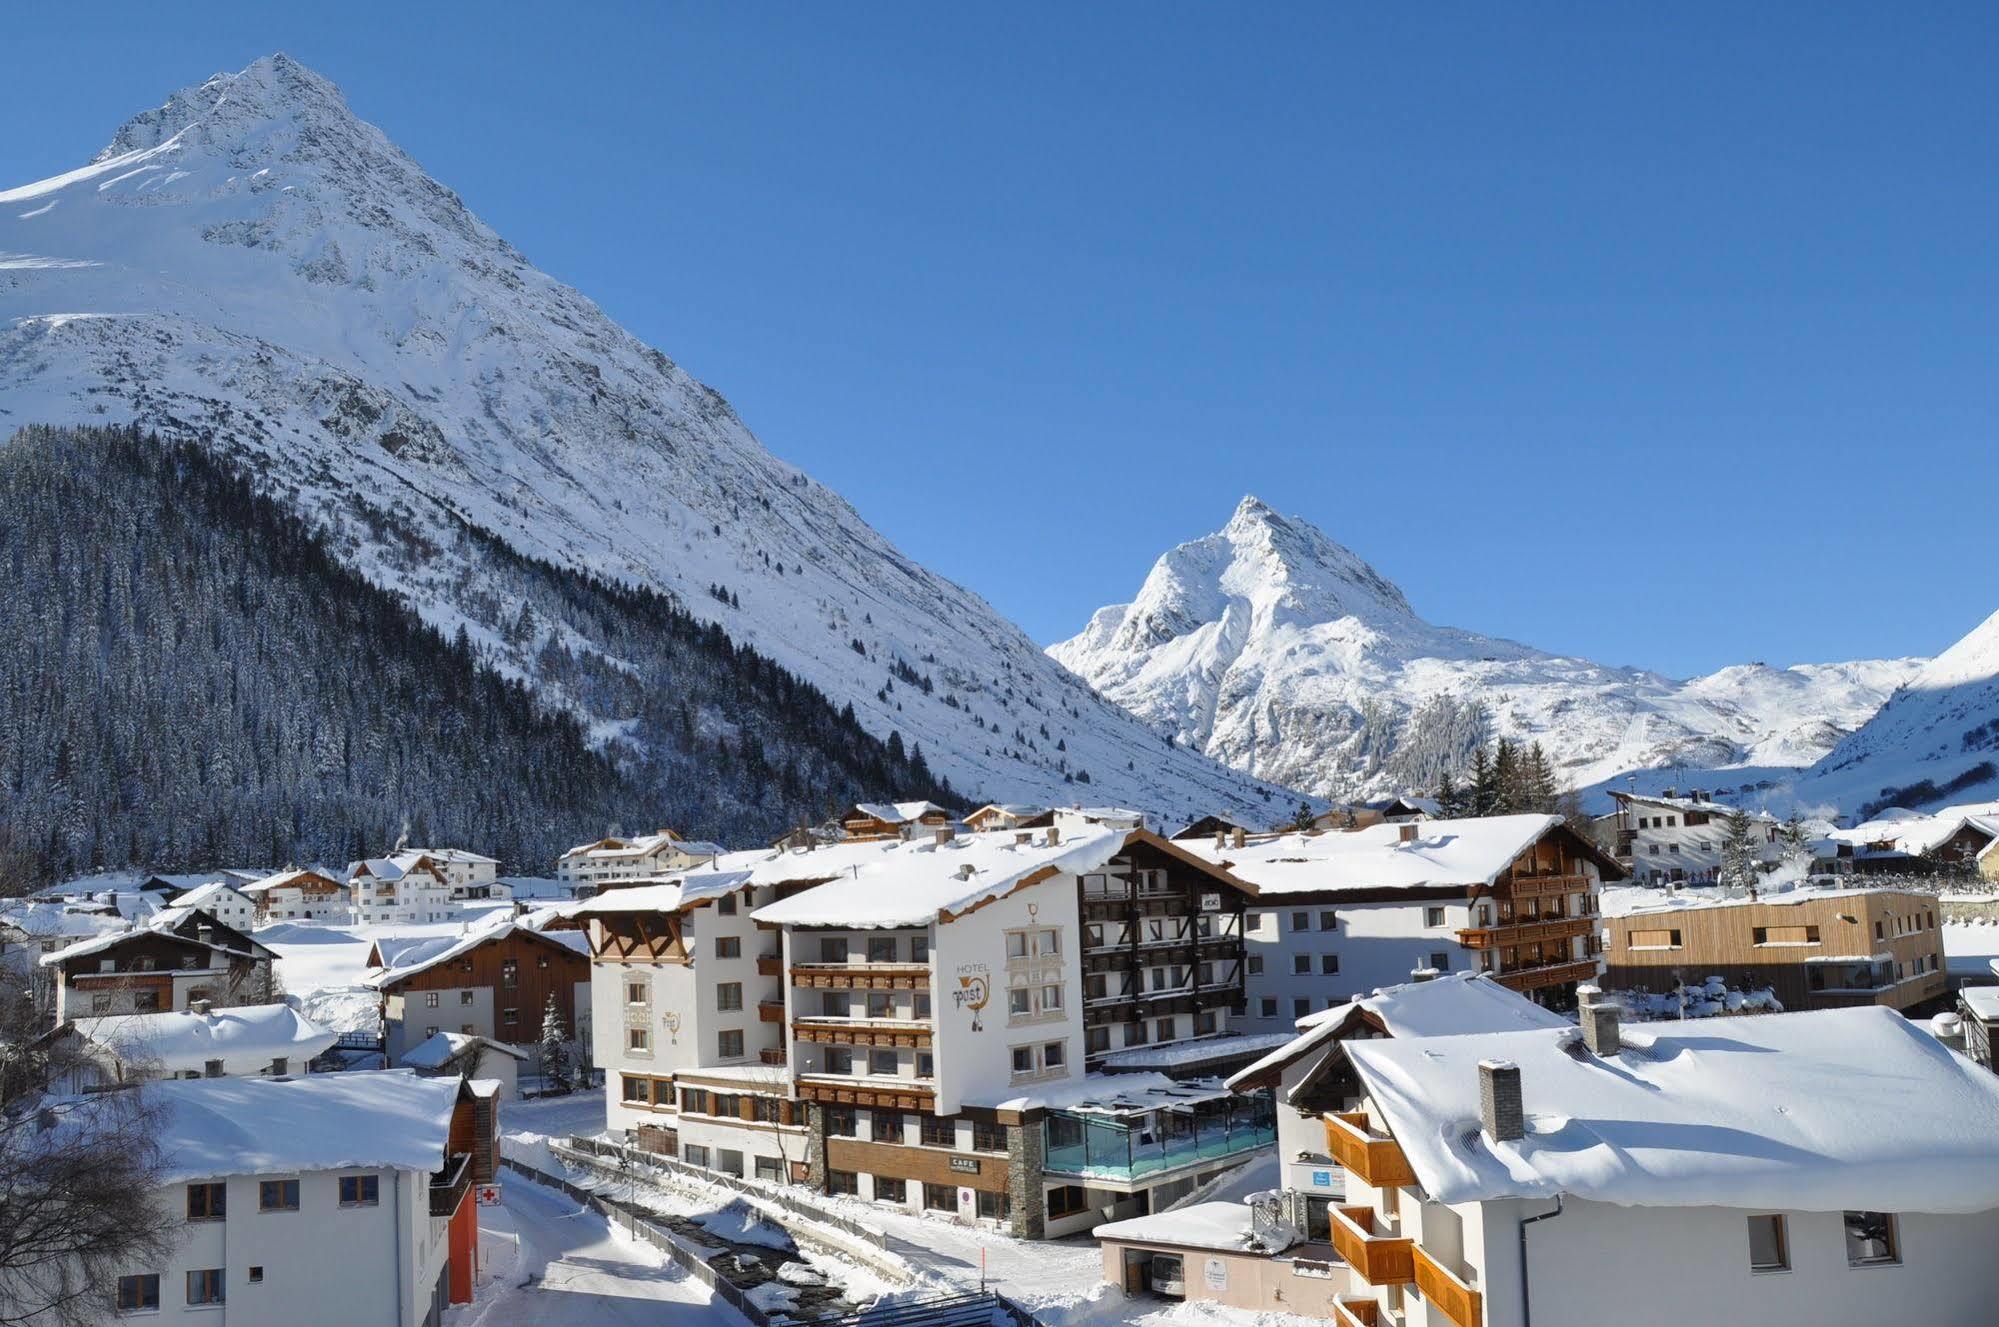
[[253, 267]]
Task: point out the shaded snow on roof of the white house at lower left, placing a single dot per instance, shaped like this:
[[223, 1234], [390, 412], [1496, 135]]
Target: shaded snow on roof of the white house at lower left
[[321, 1122]]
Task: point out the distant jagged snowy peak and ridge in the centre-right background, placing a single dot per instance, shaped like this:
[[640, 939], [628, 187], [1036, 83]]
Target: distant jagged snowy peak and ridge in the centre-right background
[[1284, 655]]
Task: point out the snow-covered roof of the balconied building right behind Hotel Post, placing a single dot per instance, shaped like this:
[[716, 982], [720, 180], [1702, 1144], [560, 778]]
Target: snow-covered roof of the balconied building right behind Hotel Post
[[1442, 854]]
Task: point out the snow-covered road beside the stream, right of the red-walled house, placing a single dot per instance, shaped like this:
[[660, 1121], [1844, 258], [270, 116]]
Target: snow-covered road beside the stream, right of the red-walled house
[[553, 1264]]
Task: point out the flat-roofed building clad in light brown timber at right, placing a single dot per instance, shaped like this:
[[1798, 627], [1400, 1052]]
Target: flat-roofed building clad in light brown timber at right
[[1814, 946]]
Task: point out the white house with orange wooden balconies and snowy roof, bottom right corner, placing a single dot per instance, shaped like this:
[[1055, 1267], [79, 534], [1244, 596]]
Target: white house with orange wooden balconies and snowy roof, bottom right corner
[[1798, 1168]]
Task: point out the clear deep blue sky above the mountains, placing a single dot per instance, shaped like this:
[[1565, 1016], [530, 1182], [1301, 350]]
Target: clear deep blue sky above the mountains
[[1662, 335]]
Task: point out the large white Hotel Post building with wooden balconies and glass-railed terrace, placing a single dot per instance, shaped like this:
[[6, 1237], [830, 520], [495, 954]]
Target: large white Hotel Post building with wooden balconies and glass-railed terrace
[[927, 1012]]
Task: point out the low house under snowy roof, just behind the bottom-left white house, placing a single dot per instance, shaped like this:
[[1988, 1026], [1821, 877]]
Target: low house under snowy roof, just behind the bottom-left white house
[[201, 1042]]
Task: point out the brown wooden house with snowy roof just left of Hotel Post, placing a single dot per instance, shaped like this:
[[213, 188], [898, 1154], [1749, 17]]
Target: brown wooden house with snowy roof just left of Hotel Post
[[493, 984]]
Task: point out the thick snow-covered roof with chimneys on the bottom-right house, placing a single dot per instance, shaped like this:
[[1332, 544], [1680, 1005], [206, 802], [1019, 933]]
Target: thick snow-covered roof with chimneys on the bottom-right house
[[1830, 1110]]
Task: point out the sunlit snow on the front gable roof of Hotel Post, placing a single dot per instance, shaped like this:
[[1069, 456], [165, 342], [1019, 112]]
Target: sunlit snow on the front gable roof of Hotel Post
[[915, 882]]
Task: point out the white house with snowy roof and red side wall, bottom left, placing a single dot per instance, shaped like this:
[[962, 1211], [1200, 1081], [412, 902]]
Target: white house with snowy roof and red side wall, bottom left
[[319, 1202]]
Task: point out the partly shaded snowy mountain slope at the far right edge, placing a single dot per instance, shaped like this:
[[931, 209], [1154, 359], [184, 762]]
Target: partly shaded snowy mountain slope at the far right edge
[[1936, 740]]
